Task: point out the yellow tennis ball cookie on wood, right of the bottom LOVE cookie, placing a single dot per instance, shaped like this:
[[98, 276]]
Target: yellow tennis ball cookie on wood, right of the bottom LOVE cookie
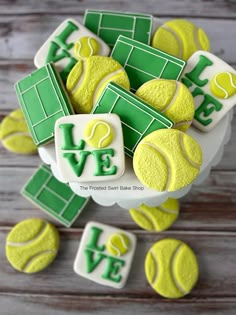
[[171, 268]]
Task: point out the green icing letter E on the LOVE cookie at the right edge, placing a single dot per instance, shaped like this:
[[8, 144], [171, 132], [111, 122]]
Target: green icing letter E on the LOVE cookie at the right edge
[[204, 110]]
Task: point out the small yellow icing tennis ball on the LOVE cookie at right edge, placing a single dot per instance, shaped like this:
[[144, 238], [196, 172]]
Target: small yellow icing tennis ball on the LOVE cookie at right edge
[[223, 85]]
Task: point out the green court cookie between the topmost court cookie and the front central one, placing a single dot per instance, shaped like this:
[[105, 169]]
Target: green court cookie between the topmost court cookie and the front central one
[[143, 62]]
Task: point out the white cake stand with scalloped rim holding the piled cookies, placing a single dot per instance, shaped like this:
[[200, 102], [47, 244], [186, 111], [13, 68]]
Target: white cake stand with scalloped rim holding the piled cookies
[[107, 193]]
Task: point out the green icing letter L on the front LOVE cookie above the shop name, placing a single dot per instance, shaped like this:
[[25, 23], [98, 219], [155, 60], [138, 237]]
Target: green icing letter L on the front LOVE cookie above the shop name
[[68, 143]]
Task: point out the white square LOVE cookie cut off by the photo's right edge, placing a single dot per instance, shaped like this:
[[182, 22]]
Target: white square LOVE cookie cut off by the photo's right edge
[[212, 83]]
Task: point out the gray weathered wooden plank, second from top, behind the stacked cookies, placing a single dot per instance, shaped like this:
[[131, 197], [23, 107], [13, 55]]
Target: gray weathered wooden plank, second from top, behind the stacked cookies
[[33, 30]]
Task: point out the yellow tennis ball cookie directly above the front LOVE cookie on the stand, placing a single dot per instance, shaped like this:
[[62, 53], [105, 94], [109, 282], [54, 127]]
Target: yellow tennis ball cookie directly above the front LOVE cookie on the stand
[[88, 79]]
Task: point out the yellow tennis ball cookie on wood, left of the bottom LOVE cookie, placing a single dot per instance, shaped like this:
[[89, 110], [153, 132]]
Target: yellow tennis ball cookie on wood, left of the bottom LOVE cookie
[[32, 245]]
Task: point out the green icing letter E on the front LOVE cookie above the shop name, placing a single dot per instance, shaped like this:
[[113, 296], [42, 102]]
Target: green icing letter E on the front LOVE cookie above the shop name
[[101, 163]]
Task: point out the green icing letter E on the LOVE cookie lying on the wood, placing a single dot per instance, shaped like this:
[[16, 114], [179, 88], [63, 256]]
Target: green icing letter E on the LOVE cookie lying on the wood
[[113, 268]]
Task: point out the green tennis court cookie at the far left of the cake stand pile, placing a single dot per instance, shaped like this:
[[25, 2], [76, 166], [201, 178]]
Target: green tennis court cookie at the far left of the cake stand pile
[[43, 100]]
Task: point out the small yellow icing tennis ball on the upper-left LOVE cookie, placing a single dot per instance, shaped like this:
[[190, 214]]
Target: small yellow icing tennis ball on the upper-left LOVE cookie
[[86, 47]]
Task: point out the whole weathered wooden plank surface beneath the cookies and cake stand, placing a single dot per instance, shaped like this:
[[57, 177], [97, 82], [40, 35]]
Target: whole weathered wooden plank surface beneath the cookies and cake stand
[[208, 213]]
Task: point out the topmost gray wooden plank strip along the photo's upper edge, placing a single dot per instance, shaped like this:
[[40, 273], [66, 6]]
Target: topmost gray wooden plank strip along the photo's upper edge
[[179, 8]]
